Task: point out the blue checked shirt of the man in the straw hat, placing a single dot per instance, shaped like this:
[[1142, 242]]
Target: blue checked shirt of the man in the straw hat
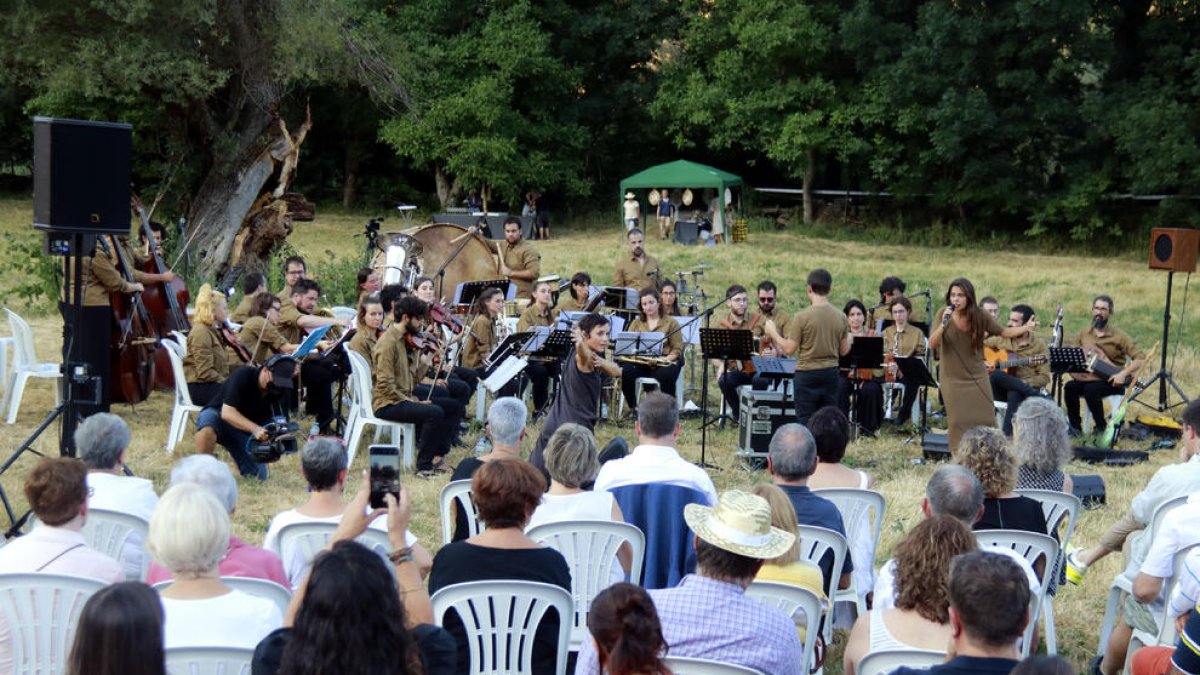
[[705, 618]]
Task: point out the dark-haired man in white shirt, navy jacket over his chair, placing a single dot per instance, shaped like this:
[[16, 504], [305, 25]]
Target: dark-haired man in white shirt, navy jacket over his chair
[[656, 459]]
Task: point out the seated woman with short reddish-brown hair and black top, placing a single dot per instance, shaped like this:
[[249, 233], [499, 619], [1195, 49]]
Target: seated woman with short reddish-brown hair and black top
[[506, 492]]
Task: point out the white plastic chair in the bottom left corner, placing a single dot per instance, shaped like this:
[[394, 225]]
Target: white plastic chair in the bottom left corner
[[43, 612]]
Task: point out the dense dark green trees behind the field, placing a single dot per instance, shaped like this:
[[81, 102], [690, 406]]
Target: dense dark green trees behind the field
[[1045, 118]]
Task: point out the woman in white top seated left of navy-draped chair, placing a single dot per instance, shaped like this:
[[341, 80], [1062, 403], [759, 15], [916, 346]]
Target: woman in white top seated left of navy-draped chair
[[572, 463]]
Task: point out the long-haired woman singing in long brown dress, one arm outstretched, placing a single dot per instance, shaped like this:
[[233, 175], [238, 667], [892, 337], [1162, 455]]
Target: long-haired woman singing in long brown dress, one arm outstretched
[[963, 377]]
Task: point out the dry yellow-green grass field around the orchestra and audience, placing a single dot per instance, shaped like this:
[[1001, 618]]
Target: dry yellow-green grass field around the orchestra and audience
[[1043, 280]]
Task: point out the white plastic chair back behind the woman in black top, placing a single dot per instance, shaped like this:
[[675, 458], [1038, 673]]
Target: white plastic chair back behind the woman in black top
[[501, 617]]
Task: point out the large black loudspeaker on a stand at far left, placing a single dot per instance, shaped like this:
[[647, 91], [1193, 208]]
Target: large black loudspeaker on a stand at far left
[[82, 176]]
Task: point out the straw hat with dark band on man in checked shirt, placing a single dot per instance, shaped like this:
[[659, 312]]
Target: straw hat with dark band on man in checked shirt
[[740, 524]]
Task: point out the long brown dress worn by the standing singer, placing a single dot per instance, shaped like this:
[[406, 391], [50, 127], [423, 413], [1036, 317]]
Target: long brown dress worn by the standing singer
[[963, 378]]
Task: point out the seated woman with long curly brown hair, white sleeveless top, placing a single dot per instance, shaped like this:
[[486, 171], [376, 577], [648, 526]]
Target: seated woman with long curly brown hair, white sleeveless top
[[921, 619]]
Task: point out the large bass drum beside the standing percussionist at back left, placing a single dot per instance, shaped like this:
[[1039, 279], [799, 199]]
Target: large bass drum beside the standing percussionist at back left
[[476, 262]]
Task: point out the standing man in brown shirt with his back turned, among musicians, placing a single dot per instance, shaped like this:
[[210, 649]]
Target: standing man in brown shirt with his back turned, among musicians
[[817, 337]]
